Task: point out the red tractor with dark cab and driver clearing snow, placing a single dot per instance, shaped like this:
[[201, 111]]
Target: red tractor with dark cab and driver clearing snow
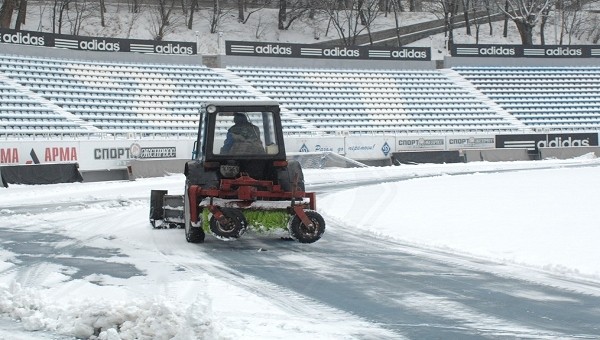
[[239, 166]]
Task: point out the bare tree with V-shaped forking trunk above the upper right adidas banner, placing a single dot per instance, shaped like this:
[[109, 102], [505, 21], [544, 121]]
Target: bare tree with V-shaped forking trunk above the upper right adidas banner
[[525, 14]]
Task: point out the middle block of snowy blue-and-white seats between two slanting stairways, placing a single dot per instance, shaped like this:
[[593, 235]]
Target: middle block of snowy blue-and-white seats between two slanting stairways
[[381, 101]]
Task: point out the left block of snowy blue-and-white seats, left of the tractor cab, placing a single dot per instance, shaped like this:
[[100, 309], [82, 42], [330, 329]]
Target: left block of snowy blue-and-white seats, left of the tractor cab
[[117, 97]]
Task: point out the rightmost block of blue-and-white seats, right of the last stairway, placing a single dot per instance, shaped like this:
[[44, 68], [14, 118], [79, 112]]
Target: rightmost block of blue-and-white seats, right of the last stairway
[[542, 98]]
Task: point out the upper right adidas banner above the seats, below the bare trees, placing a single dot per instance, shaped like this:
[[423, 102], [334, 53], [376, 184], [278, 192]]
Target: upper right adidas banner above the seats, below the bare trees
[[520, 51]]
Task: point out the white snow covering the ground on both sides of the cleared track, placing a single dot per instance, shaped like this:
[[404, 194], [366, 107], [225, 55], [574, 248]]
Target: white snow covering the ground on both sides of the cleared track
[[532, 217]]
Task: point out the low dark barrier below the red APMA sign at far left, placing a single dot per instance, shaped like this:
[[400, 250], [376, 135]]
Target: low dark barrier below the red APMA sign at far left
[[41, 174]]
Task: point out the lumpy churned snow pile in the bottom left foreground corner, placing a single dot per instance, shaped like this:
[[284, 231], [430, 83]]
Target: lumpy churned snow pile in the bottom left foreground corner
[[109, 320]]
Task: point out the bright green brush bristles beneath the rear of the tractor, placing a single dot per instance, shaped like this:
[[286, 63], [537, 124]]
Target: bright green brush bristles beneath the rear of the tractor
[[258, 220]]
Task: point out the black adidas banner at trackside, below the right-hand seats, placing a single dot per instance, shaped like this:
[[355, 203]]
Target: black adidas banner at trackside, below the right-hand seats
[[533, 142]]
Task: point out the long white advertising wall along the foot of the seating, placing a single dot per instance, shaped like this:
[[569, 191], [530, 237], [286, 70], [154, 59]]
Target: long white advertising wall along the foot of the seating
[[109, 158]]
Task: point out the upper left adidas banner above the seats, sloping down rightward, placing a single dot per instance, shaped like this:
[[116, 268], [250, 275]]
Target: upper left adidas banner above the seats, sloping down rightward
[[97, 44]]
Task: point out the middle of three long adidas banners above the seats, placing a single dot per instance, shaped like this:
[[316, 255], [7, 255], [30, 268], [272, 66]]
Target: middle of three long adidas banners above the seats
[[274, 49]]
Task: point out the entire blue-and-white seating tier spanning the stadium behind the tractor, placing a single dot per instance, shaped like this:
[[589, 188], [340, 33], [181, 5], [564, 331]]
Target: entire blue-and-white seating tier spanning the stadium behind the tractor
[[61, 96]]
